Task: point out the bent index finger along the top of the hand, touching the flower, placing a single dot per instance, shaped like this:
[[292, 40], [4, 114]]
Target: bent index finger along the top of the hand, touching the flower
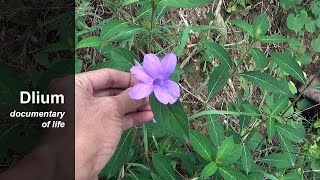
[[107, 78]]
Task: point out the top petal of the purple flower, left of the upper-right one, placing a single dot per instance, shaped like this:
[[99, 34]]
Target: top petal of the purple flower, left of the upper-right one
[[152, 65]]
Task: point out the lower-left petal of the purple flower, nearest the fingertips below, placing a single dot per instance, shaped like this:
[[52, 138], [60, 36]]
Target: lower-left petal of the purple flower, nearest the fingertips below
[[140, 91]]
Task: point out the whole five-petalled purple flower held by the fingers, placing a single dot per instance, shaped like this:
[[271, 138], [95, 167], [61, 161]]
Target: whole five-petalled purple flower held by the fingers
[[154, 77]]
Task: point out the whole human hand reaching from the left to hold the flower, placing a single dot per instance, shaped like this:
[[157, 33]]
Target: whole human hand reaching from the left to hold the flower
[[103, 110]]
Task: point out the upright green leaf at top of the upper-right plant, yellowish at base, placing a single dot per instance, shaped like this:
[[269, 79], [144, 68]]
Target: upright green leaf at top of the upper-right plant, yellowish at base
[[260, 25]]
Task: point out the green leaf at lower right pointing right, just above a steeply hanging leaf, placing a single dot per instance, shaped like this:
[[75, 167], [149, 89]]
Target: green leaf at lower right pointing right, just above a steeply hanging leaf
[[290, 132]]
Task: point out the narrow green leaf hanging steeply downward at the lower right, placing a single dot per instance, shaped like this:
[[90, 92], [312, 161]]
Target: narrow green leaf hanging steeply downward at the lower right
[[288, 150]]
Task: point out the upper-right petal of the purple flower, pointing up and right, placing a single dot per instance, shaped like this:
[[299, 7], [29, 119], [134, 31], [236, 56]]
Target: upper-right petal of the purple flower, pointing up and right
[[168, 63]]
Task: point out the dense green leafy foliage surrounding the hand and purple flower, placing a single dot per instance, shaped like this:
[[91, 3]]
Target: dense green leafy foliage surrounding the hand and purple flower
[[272, 138]]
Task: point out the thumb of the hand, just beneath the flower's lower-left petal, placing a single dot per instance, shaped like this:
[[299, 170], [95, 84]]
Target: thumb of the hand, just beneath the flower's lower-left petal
[[127, 104]]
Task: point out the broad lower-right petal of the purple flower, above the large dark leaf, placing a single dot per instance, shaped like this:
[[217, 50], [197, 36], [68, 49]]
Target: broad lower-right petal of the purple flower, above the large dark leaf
[[167, 92]]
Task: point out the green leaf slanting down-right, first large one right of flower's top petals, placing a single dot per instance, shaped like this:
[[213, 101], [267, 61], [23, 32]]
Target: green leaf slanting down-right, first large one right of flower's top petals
[[219, 52]]
